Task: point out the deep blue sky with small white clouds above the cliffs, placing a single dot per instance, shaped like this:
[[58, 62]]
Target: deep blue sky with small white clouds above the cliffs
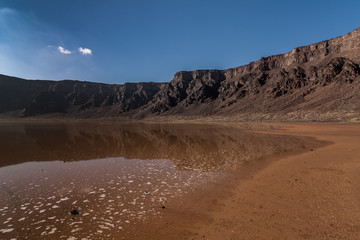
[[118, 41]]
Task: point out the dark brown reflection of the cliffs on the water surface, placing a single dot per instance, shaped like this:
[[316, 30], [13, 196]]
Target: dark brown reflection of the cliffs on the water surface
[[189, 146]]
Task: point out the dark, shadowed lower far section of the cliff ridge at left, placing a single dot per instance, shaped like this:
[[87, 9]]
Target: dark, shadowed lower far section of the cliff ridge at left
[[73, 98]]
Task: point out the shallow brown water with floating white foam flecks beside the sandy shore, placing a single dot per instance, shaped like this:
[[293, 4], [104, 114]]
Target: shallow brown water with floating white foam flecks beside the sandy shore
[[115, 175]]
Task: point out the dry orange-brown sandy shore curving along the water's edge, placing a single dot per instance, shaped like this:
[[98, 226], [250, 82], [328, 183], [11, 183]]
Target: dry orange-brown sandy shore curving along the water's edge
[[312, 195]]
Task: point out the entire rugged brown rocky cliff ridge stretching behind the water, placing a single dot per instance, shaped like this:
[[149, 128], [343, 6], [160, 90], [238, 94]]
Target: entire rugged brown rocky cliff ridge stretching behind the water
[[316, 82]]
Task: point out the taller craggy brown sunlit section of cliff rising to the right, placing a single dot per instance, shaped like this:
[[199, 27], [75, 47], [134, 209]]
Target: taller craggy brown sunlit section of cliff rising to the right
[[316, 82]]
